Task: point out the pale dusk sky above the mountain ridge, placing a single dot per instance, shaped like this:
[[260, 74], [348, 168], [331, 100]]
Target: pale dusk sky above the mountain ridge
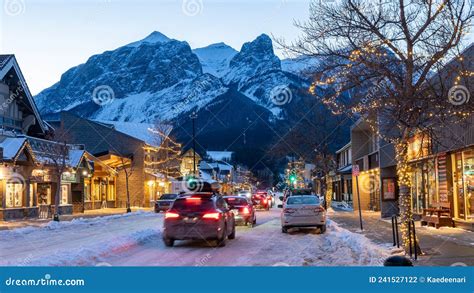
[[50, 36]]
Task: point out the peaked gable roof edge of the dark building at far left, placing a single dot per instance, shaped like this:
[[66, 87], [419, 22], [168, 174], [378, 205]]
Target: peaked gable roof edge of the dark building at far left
[[8, 62]]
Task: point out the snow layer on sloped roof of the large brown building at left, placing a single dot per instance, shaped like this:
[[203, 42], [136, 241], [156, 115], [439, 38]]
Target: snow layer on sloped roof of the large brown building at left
[[140, 131]]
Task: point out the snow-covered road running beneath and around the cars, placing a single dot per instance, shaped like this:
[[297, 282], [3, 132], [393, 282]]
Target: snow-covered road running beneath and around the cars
[[135, 240]]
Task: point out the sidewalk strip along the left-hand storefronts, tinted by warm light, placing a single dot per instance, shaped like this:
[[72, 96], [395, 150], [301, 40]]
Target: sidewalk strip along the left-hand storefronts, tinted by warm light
[[13, 224]]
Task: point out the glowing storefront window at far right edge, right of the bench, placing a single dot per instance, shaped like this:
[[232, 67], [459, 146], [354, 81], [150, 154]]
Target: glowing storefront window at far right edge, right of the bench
[[464, 185]]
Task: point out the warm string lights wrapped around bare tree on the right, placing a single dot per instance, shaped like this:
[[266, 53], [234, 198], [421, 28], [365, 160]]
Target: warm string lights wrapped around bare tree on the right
[[374, 104]]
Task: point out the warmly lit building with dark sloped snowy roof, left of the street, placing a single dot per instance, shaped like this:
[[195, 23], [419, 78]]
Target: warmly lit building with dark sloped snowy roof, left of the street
[[132, 157]]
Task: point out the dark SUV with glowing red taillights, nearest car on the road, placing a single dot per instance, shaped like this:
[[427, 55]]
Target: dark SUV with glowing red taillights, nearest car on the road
[[199, 216]]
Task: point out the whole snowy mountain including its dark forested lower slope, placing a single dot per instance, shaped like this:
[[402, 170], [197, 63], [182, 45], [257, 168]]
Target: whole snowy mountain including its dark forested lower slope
[[159, 78]]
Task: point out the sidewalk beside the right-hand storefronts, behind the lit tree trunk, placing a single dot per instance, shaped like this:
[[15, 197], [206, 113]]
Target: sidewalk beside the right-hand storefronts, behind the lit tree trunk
[[441, 247]]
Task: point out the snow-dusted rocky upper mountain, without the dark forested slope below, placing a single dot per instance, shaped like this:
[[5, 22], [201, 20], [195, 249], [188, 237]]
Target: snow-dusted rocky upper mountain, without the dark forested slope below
[[162, 78]]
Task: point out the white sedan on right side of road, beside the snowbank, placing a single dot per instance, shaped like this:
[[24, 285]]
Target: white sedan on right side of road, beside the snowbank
[[301, 212]]
